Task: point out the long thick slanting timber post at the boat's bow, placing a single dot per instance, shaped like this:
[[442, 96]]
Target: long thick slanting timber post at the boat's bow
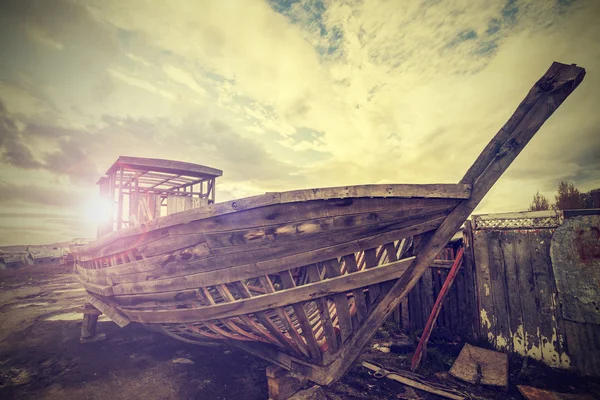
[[543, 99]]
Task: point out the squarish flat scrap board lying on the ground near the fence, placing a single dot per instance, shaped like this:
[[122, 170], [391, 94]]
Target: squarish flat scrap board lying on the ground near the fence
[[476, 365]]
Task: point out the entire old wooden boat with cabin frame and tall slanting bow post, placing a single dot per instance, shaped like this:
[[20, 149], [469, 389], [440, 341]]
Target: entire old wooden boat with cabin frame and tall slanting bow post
[[301, 278]]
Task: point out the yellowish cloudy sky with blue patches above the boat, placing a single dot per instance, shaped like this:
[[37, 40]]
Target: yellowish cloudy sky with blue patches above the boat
[[282, 95]]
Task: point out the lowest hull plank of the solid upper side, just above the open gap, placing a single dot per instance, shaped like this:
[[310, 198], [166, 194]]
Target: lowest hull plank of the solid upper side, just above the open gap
[[224, 270]]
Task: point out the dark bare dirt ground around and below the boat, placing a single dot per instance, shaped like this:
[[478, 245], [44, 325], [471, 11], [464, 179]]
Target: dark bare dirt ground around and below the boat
[[41, 357]]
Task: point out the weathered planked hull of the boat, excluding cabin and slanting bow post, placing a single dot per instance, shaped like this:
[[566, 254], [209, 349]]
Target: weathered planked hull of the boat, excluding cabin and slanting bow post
[[203, 278]]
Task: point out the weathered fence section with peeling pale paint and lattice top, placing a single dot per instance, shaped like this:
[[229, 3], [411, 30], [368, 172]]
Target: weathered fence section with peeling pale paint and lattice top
[[533, 304]]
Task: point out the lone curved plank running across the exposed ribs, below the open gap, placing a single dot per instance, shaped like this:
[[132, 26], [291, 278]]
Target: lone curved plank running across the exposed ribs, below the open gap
[[280, 298]]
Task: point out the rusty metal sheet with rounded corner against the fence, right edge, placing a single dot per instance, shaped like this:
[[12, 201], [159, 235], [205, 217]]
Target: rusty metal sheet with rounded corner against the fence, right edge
[[575, 253]]
